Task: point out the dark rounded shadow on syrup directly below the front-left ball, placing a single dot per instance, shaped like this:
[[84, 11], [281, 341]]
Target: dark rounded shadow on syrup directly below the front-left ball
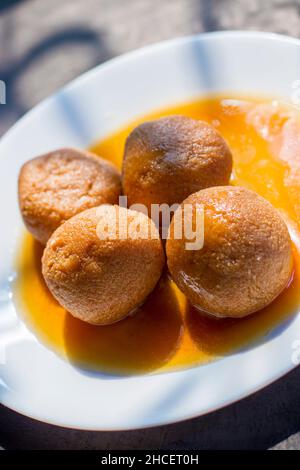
[[140, 343]]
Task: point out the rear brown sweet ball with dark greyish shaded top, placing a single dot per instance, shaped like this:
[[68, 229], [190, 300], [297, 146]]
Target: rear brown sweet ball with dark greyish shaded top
[[170, 158]]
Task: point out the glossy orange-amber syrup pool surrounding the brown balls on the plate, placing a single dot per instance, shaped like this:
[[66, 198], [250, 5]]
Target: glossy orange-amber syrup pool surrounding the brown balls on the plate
[[167, 333]]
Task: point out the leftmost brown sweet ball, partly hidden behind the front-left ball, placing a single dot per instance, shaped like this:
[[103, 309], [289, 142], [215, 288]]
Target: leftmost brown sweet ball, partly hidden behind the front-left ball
[[60, 184]]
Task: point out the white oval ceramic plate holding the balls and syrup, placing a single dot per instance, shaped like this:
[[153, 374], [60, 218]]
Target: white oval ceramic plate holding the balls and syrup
[[33, 380]]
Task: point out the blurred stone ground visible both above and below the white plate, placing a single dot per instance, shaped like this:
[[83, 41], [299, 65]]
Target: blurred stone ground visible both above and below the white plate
[[43, 45]]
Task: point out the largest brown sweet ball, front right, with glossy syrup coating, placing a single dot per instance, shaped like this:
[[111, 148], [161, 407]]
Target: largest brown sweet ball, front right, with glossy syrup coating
[[246, 260]]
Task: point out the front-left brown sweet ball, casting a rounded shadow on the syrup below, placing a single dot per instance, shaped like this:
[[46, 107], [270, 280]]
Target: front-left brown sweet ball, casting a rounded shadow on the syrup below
[[101, 270]]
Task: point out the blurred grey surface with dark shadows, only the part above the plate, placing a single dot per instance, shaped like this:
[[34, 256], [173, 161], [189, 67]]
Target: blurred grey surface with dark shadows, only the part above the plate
[[46, 43]]
